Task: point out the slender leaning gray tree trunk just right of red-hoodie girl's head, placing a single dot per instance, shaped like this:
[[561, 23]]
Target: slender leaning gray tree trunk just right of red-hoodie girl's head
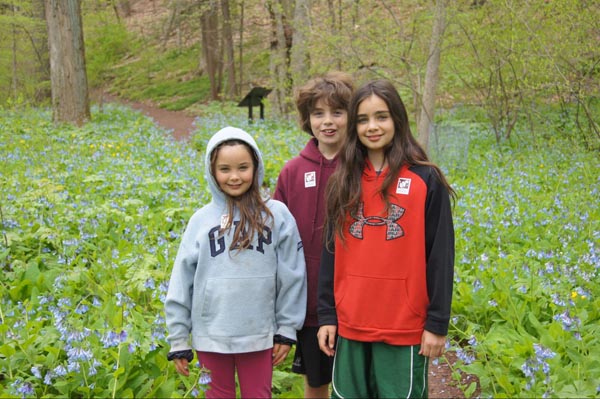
[[431, 74]]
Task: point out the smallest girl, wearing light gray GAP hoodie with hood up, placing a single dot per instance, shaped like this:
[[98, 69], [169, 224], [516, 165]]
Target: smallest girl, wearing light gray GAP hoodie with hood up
[[237, 292]]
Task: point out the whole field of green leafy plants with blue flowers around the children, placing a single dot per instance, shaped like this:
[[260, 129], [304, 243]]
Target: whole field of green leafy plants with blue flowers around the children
[[91, 219]]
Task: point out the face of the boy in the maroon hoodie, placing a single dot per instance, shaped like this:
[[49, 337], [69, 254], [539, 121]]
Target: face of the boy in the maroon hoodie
[[329, 127]]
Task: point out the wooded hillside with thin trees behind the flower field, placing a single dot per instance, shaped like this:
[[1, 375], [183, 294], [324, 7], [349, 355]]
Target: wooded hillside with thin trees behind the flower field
[[508, 60]]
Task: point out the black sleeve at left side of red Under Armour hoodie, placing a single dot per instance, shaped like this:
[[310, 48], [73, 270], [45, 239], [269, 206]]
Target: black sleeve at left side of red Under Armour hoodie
[[326, 301]]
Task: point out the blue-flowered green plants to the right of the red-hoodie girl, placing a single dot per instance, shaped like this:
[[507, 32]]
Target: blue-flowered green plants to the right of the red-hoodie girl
[[527, 257]]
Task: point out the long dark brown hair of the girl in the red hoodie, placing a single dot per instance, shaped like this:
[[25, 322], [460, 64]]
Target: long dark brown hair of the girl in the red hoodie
[[344, 186]]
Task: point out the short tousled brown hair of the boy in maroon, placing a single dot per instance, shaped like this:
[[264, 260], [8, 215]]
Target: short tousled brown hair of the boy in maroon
[[334, 88]]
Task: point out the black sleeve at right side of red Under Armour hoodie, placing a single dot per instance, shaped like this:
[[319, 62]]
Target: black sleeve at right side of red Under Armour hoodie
[[439, 246]]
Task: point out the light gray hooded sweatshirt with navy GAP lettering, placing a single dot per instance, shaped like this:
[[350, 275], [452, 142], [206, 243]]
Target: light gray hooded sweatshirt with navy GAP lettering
[[235, 301]]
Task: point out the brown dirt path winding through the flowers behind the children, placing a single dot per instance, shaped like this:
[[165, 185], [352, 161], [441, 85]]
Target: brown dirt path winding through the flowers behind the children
[[181, 125]]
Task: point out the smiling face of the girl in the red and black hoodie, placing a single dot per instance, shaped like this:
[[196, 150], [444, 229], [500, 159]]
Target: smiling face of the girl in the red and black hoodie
[[374, 126]]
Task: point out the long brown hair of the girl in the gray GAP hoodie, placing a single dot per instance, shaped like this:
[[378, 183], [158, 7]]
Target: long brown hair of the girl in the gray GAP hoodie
[[254, 213]]
